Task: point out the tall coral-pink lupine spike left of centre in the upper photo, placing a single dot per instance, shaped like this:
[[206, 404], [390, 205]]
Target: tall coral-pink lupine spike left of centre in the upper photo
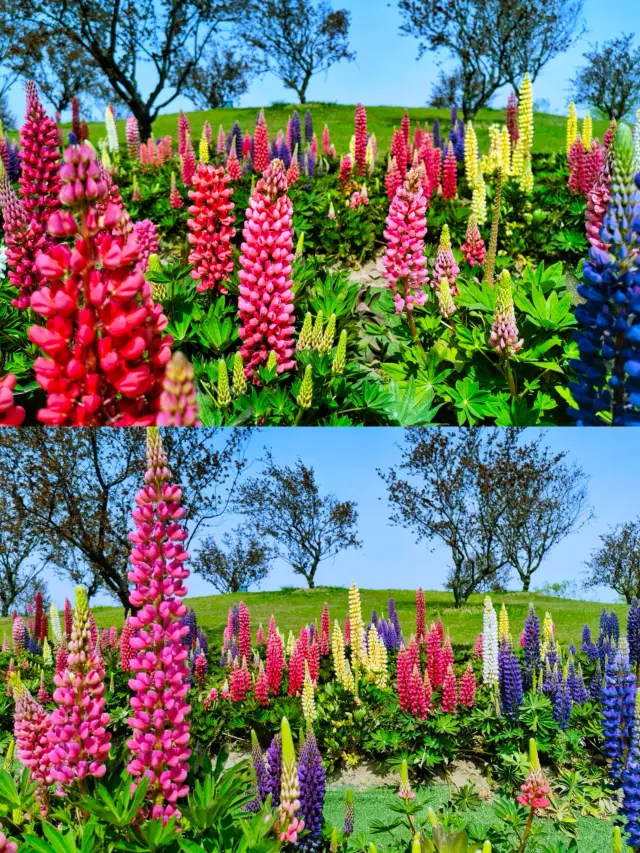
[[265, 303]]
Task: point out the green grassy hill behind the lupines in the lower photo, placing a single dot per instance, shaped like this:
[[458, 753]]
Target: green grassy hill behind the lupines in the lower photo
[[296, 607]]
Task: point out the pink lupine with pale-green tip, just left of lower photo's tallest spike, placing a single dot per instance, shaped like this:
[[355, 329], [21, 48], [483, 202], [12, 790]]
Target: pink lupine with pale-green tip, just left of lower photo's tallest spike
[[78, 735]]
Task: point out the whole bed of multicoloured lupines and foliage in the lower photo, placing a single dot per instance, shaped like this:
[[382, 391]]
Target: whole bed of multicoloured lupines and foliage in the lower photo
[[117, 738]]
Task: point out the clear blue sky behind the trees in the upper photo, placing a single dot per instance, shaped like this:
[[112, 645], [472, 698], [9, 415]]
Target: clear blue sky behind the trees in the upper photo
[[385, 70]]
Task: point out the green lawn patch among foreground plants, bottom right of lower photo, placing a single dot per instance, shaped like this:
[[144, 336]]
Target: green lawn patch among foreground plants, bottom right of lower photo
[[593, 834]]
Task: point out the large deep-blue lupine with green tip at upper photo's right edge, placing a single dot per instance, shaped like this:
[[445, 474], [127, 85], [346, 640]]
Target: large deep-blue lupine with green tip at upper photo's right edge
[[609, 337]]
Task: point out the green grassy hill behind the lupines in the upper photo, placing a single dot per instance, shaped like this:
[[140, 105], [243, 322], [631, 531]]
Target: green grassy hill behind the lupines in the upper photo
[[550, 130]]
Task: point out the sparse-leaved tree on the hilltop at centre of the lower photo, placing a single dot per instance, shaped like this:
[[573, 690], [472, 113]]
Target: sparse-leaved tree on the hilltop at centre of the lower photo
[[307, 527]]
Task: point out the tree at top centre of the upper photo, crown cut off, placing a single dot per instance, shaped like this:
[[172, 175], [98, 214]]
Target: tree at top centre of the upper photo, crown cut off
[[297, 39]]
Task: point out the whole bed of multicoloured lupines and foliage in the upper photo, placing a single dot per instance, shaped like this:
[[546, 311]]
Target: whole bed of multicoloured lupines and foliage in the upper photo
[[211, 280]]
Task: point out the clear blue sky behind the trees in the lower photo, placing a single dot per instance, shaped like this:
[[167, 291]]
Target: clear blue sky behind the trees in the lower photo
[[345, 461]]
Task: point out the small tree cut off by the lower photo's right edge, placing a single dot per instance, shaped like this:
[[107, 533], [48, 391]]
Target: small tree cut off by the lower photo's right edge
[[616, 563]]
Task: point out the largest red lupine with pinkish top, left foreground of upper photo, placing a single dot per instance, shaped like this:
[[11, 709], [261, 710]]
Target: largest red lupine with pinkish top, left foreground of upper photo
[[103, 342]]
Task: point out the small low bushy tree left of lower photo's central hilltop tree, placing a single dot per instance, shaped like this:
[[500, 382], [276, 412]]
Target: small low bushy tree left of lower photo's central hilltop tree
[[243, 560]]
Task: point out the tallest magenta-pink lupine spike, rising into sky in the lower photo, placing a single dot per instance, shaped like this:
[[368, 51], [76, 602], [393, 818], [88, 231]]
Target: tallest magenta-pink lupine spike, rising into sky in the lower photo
[[159, 744]]
